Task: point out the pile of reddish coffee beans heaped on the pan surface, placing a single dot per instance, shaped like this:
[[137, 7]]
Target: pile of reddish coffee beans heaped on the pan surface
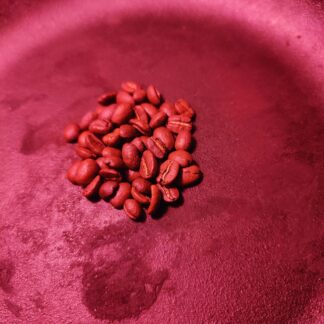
[[134, 149]]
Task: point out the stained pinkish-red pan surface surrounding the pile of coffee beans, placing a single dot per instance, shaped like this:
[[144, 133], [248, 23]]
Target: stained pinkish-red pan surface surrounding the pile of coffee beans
[[247, 244]]
